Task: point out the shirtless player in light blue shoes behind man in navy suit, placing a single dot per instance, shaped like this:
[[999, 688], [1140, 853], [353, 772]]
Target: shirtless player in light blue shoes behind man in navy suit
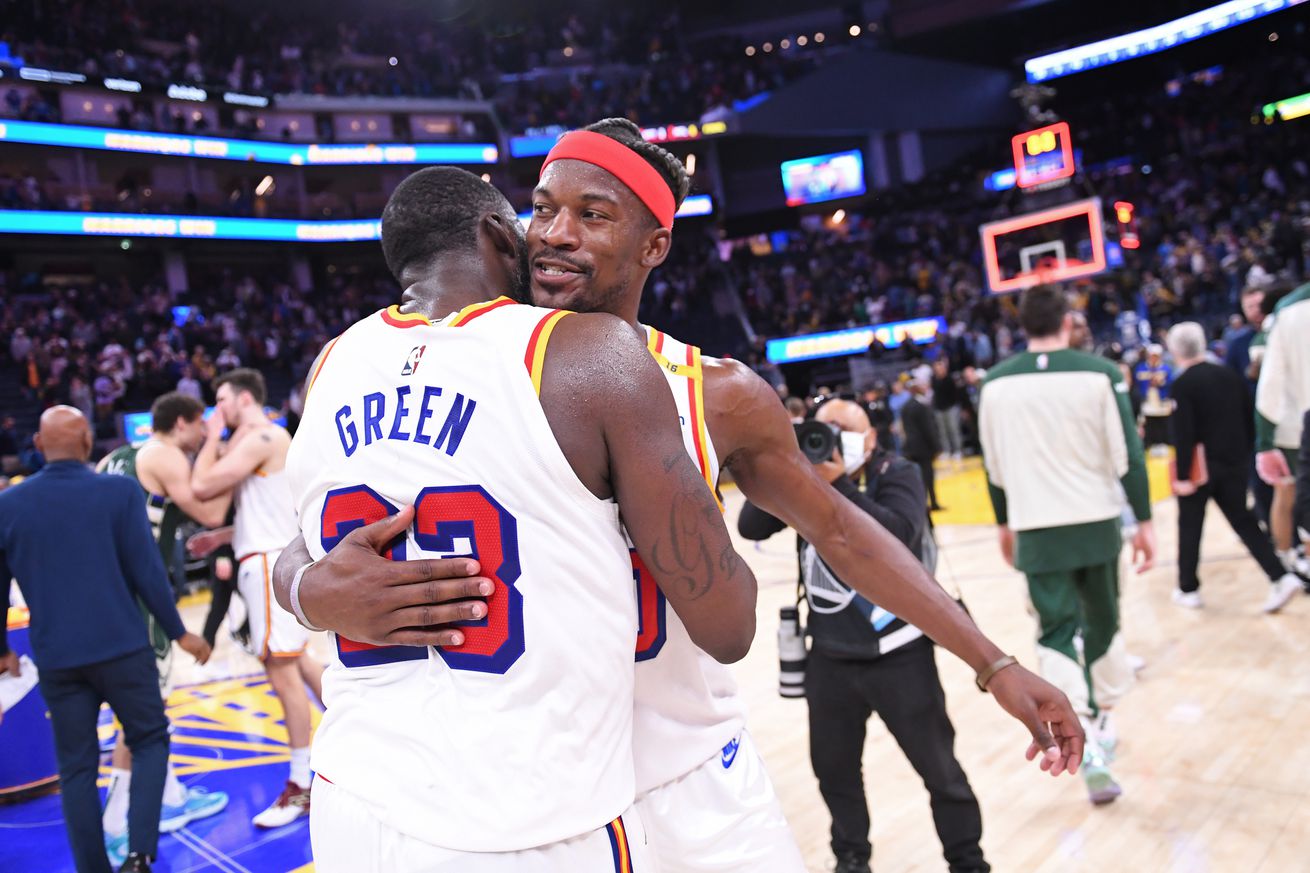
[[163, 469]]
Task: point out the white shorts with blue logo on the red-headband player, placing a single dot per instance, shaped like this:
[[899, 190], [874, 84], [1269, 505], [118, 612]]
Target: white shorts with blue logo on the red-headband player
[[724, 817]]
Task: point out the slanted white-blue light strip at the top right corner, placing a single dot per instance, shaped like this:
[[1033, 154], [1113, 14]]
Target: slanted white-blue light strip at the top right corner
[[1152, 40]]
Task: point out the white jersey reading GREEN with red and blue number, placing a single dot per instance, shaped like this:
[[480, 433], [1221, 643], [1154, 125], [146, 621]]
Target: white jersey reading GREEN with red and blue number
[[522, 736]]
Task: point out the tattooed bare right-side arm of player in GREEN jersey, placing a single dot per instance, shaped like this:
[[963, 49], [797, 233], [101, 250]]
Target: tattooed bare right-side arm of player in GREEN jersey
[[605, 395]]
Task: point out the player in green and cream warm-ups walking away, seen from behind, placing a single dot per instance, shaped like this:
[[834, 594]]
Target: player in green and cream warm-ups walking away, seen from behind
[[1059, 441]]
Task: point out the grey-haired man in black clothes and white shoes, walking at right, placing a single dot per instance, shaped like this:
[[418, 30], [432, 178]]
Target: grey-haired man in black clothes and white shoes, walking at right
[[1211, 412]]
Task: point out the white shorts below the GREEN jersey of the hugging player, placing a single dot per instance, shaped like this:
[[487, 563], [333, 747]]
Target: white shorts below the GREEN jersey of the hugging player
[[349, 838]]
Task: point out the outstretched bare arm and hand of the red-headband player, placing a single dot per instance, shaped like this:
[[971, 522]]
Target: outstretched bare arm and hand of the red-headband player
[[753, 433]]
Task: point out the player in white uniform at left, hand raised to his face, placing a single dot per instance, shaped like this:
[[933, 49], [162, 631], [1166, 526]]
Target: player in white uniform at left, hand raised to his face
[[253, 469]]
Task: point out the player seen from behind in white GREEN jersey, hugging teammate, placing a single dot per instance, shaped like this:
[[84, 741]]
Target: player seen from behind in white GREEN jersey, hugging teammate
[[521, 446]]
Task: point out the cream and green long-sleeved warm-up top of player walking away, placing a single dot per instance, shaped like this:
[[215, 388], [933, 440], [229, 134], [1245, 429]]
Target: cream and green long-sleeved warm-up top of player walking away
[[1059, 440]]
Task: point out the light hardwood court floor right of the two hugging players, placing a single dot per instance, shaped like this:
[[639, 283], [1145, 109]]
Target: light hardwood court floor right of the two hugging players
[[1214, 760]]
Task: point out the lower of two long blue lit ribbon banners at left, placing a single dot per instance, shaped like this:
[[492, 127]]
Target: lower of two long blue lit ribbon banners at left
[[198, 227]]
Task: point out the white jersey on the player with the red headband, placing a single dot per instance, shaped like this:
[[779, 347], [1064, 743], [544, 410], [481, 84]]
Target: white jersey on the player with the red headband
[[687, 708]]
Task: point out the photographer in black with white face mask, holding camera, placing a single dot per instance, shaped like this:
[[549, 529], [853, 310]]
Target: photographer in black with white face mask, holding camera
[[864, 660]]
